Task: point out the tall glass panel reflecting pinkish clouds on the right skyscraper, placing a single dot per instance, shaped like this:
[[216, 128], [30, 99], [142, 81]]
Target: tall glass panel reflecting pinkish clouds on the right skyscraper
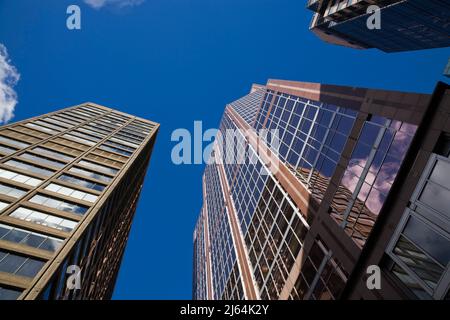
[[367, 180]]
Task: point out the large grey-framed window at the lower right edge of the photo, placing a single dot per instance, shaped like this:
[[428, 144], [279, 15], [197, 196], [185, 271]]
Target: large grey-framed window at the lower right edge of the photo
[[420, 246]]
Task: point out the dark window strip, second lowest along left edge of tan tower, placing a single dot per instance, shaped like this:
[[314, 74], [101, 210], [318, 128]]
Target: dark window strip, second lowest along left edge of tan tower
[[19, 265]]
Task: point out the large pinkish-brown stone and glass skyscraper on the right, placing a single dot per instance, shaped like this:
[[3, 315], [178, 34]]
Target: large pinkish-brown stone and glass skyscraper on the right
[[359, 180]]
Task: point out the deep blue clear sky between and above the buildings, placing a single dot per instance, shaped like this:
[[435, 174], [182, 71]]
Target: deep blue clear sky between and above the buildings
[[176, 61]]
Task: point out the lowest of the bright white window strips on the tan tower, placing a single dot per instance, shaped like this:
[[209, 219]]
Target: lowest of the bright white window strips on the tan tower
[[44, 219]]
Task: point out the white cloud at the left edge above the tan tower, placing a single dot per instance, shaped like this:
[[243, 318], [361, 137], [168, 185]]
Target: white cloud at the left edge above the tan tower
[[8, 79]]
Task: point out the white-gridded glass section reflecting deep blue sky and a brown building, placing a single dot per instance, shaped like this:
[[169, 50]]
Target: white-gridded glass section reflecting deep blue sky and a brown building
[[312, 137]]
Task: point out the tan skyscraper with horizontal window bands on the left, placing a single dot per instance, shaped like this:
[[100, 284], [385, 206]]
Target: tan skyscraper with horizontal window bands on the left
[[70, 182]]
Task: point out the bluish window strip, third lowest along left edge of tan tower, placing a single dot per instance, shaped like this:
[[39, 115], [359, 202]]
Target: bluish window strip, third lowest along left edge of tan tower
[[28, 238]]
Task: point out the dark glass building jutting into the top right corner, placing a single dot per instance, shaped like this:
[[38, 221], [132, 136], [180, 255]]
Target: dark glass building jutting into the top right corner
[[405, 24]]
